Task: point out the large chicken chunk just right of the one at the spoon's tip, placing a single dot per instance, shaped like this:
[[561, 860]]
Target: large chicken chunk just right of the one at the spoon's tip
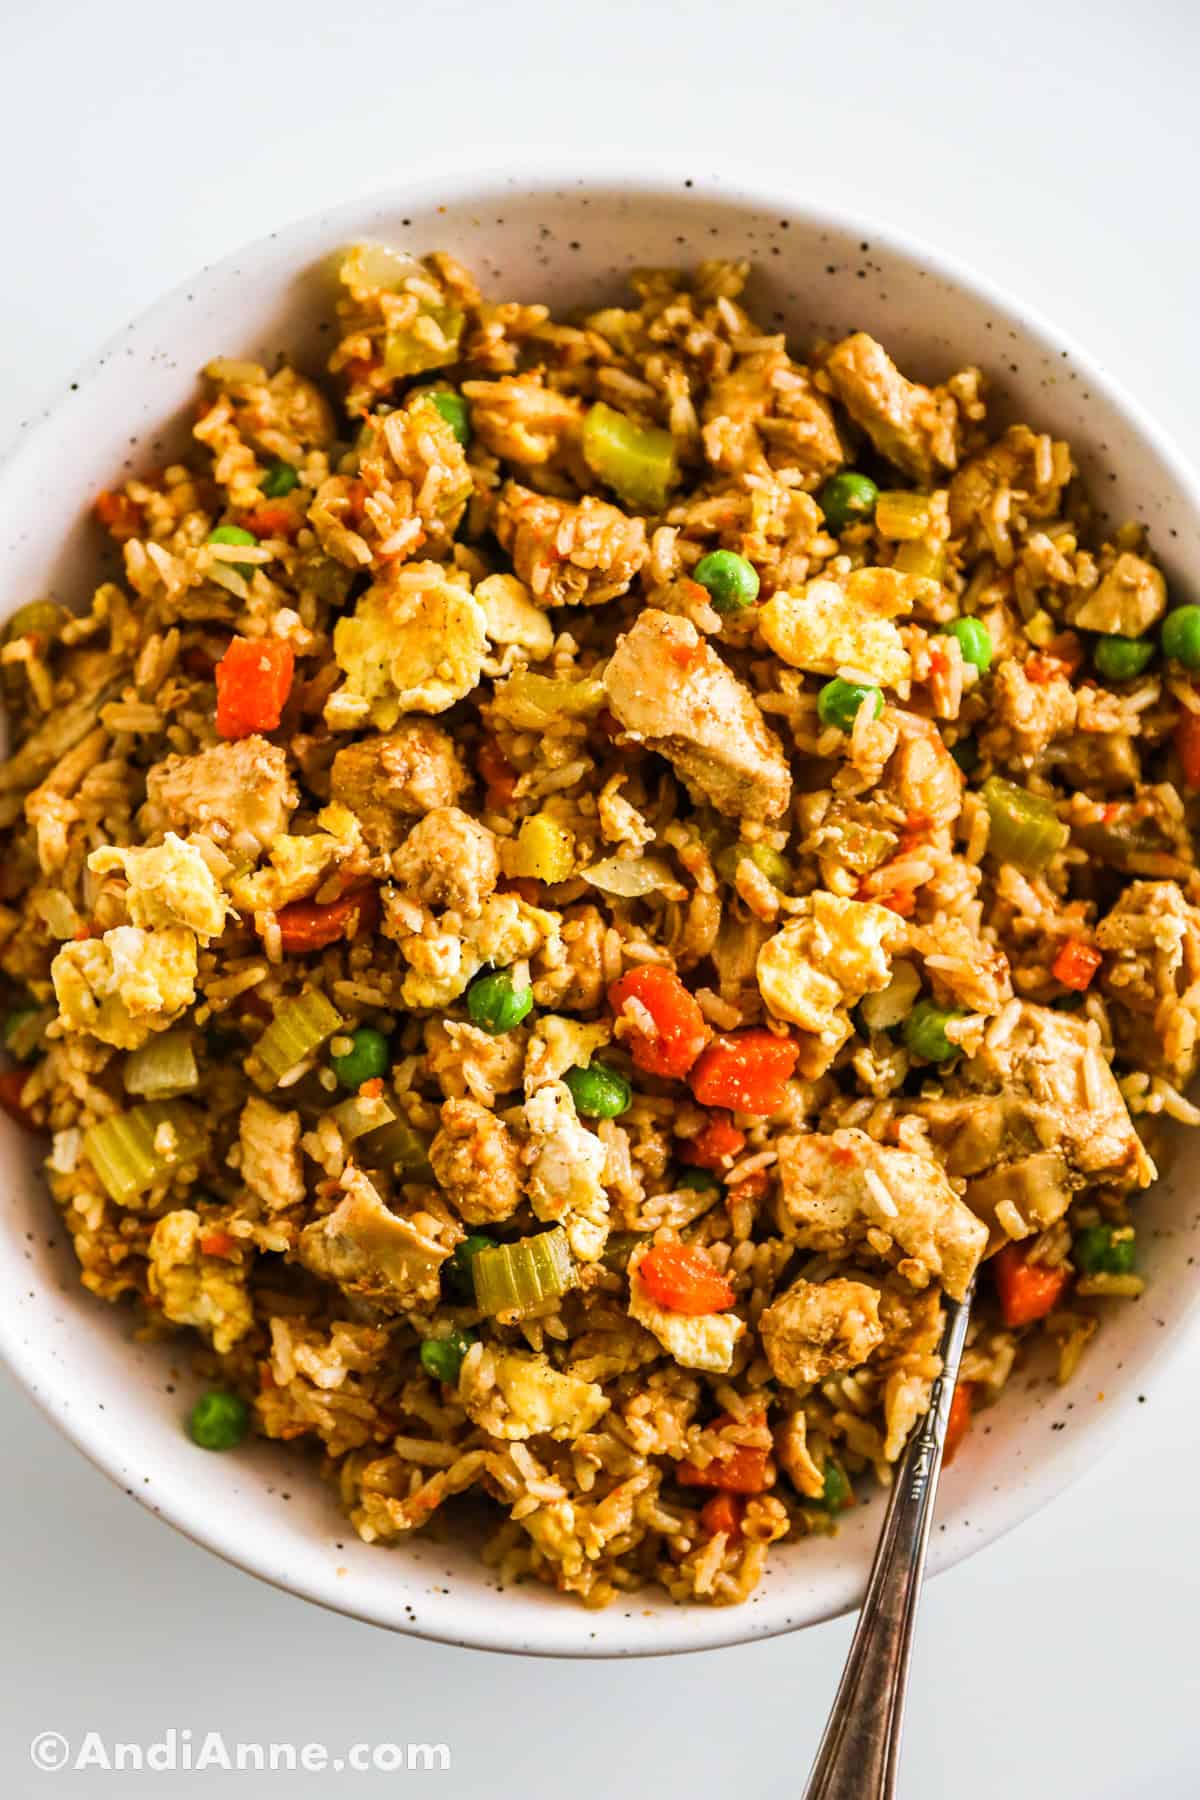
[[1055, 1070]]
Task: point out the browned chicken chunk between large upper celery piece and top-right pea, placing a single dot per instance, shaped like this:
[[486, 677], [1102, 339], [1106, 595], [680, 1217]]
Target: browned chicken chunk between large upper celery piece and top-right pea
[[769, 408]]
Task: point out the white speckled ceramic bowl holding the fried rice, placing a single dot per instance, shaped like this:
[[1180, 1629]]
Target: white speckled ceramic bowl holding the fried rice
[[566, 242]]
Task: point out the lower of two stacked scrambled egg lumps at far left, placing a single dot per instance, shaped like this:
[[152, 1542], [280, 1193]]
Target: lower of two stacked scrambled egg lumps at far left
[[127, 985]]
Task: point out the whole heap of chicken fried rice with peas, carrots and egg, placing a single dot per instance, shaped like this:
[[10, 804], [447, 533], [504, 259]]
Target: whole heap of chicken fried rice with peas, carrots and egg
[[584, 877]]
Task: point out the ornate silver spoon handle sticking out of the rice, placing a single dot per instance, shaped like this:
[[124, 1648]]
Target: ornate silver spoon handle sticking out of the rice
[[861, 1749]]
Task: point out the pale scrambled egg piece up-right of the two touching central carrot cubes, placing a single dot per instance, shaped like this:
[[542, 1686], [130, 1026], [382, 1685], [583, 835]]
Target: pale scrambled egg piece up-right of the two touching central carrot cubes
[[827, 958]]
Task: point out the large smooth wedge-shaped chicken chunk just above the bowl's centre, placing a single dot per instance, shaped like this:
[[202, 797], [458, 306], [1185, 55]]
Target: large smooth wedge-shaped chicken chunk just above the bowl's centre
[[672, 692]]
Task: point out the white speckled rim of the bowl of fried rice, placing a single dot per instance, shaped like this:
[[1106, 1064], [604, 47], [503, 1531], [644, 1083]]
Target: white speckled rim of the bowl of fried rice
[[456, 179]]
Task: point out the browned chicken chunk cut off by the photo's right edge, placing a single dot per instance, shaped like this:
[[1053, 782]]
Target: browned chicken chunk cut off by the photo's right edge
[[1152, 978]]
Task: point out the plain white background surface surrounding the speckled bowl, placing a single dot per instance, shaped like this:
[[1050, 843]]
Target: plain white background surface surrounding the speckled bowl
[[1055, 147]]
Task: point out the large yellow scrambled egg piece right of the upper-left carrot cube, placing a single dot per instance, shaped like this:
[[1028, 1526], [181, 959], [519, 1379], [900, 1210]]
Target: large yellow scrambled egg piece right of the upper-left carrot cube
[[415, 643]]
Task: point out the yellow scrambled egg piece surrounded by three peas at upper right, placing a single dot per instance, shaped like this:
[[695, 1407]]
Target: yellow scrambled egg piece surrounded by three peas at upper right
[[832, 627]]
